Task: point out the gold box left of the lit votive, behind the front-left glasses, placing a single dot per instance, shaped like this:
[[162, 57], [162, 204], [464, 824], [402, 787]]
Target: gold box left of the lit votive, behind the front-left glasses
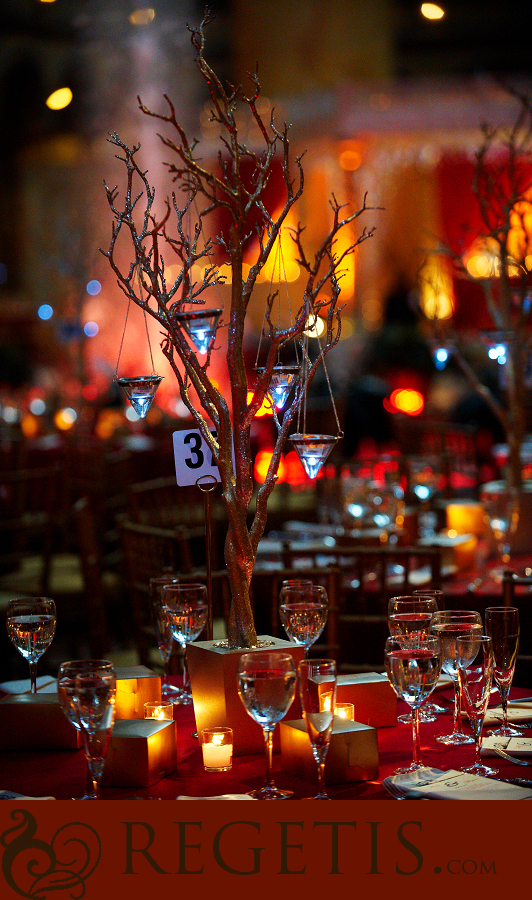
[[141, 752]]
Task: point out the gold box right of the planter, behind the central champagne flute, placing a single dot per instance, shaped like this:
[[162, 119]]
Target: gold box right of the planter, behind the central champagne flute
[[353, 753]]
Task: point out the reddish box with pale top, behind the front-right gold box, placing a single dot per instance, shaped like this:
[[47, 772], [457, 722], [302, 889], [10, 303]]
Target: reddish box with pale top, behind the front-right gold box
[[372, 695]]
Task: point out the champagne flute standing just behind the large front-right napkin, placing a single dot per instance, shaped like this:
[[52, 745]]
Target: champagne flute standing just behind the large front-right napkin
[[475, 676]]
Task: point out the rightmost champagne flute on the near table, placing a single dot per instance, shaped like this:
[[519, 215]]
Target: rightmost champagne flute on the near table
[[502, 624]]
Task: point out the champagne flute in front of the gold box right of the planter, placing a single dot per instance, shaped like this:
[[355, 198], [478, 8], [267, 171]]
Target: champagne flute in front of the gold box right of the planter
[[317, 680]]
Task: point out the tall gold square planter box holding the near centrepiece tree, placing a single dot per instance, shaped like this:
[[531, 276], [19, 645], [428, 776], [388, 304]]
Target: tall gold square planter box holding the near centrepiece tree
[[213, 678]]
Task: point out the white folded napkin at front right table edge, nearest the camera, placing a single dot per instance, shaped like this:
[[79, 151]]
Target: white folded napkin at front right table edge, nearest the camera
[[433, 784]]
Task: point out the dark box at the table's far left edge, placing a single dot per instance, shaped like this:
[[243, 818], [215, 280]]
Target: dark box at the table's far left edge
[[36, 722]]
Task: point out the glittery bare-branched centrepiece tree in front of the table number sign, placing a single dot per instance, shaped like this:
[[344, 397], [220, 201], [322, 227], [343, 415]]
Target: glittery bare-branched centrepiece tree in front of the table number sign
[[154, 243]]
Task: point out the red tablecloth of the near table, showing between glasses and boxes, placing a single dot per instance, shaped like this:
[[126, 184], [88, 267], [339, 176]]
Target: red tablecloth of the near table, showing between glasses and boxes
[[61, 773]]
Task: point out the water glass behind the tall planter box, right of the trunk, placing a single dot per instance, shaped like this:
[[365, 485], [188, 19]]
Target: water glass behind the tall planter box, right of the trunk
[[303, 609]]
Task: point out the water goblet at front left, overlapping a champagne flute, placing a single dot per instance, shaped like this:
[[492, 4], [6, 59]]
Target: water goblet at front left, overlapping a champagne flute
[[103, 682]]
